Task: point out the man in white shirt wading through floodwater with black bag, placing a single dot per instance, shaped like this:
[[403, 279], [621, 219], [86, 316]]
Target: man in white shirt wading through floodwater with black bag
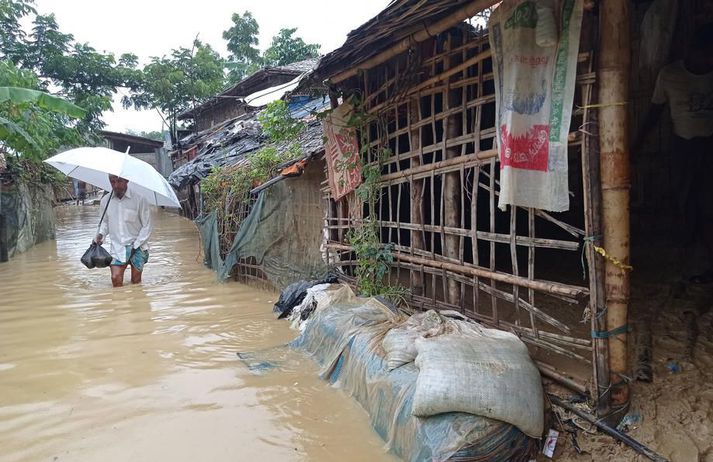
[[128, 222]]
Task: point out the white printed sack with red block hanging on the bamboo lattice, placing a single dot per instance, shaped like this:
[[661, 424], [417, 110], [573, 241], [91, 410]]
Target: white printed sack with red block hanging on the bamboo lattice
[[534, 90]]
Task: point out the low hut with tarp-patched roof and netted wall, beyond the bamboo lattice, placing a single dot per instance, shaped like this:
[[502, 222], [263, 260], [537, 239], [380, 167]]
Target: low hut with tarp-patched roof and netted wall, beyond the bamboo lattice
[[278, 226]]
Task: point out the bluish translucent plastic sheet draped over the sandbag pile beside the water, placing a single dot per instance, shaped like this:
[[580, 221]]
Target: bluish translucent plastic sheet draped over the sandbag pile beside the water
[[344, 336]]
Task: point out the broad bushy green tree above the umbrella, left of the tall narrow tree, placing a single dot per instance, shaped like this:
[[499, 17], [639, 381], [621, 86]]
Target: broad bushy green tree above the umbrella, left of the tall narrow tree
[[177, 83]]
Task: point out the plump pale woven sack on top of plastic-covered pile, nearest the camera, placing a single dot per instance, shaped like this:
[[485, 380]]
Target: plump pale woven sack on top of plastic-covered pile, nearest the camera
[[480, 371]]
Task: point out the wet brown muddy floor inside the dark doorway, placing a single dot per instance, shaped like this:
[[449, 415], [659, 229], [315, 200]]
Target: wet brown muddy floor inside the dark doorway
[[672, 415]]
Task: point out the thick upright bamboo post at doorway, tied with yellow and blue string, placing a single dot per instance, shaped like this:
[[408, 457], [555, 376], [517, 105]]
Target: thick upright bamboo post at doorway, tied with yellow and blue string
[[614, 62]]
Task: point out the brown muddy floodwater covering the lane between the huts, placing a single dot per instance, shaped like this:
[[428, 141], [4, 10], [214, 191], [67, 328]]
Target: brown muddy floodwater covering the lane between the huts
[[151, 372]]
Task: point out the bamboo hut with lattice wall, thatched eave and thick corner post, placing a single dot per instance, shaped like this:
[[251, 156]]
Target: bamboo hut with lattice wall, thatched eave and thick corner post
[[423, 73]]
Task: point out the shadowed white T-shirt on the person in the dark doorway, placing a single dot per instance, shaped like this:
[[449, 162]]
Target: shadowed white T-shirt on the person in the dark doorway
[[690, 98]]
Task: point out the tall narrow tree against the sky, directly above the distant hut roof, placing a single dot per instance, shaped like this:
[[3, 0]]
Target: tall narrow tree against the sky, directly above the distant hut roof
[[244, 58]]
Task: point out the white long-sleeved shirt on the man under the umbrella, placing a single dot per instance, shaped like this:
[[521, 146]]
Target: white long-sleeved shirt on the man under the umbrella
[[127, 221]]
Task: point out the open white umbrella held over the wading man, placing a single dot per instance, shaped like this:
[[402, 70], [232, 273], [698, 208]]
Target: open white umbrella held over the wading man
[[94, 165]]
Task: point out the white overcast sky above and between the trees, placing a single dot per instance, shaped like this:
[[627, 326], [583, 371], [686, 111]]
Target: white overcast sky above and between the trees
[[154, 27]]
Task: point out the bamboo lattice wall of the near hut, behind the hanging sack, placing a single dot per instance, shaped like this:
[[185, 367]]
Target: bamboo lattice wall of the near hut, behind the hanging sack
[[433, 110]]
